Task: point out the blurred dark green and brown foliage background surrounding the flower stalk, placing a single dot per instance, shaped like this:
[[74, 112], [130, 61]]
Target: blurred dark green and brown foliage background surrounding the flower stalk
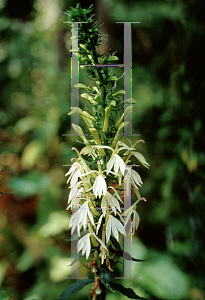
[[169, 87]]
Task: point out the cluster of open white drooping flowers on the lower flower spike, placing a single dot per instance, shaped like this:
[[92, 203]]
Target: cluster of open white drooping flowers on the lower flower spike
[[98, 202]]
